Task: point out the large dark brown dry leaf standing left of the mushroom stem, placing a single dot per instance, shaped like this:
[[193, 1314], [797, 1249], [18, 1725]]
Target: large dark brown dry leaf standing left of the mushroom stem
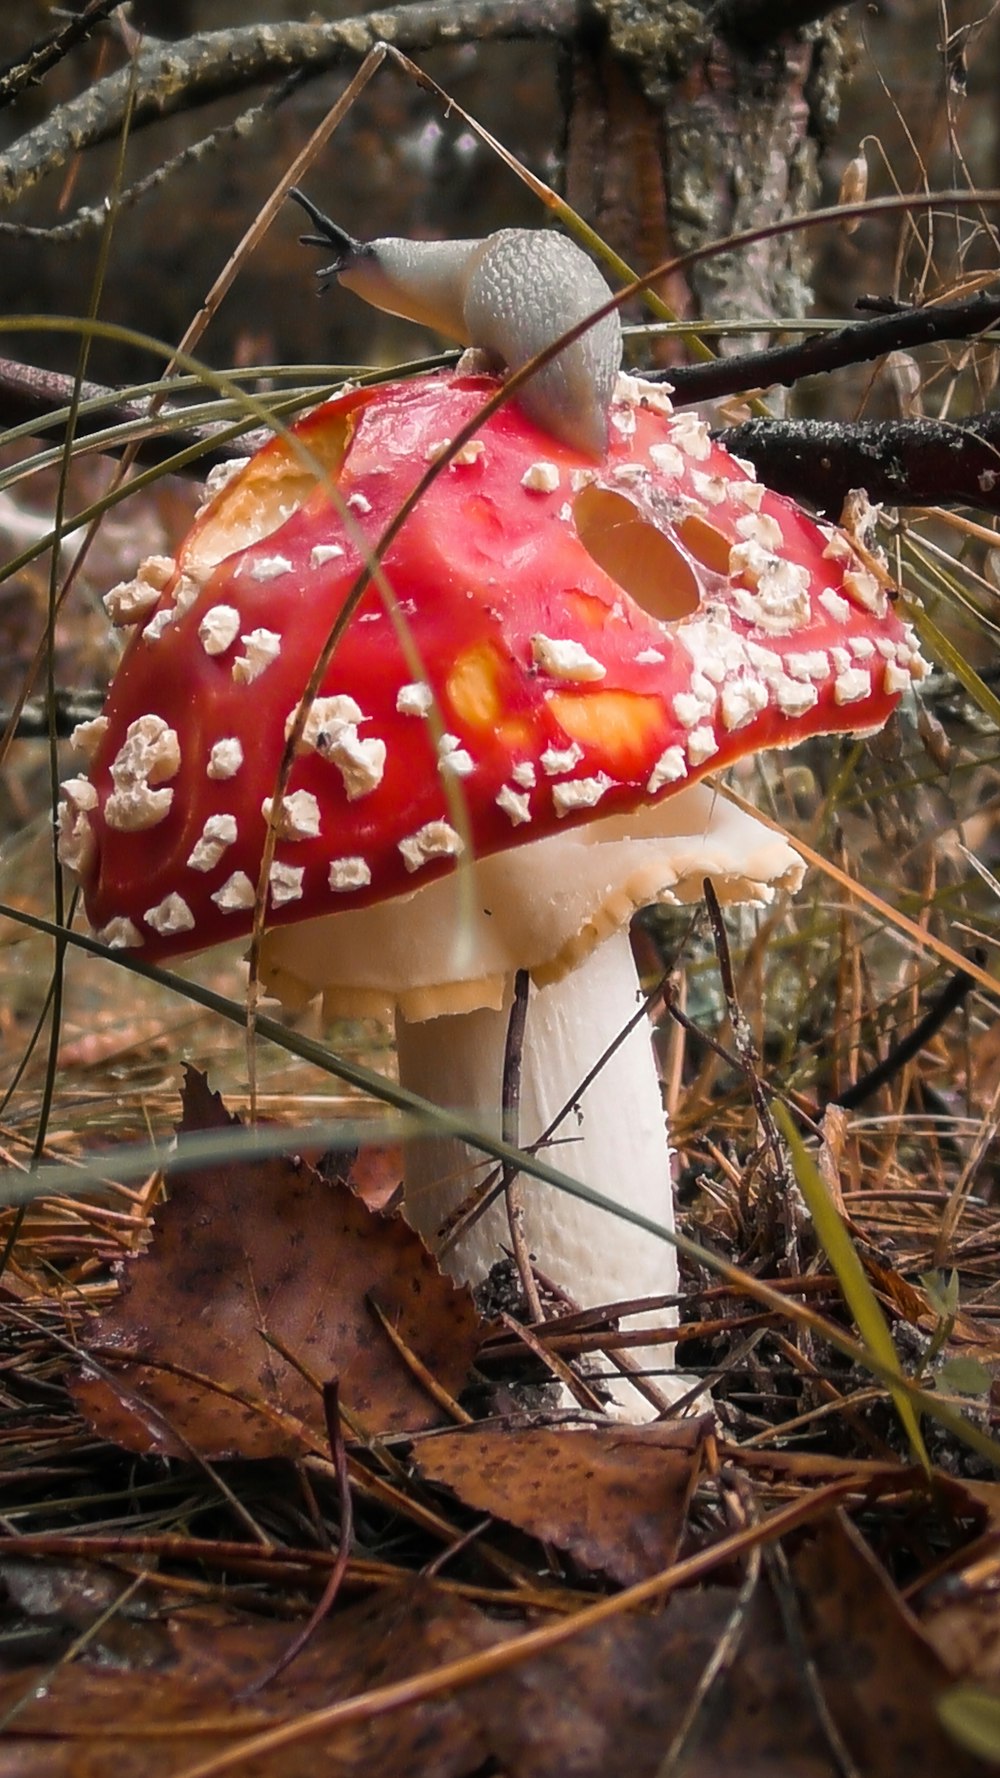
[[268, 1247]]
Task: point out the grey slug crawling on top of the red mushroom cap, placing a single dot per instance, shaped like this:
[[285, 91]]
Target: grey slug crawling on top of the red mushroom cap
[[512, 294]]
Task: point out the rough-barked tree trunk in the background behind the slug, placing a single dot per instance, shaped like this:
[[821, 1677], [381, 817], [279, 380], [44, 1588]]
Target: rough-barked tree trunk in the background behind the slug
[[684, 129]]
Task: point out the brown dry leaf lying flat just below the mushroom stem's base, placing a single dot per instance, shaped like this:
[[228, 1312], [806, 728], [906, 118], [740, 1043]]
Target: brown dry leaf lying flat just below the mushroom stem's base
[[613, 1498]]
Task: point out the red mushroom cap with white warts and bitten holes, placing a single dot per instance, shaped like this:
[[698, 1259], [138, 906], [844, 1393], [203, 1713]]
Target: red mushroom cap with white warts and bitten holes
[[588, 637]]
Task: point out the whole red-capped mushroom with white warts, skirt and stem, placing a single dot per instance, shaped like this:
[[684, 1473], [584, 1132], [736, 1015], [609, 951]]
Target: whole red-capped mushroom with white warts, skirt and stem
[[592, 641]]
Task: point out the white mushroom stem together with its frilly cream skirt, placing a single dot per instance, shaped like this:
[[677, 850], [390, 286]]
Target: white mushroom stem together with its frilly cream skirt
[[444, 959]]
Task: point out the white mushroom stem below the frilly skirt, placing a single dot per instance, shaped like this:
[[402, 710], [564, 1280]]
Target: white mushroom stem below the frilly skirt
[[615, 1141]]
